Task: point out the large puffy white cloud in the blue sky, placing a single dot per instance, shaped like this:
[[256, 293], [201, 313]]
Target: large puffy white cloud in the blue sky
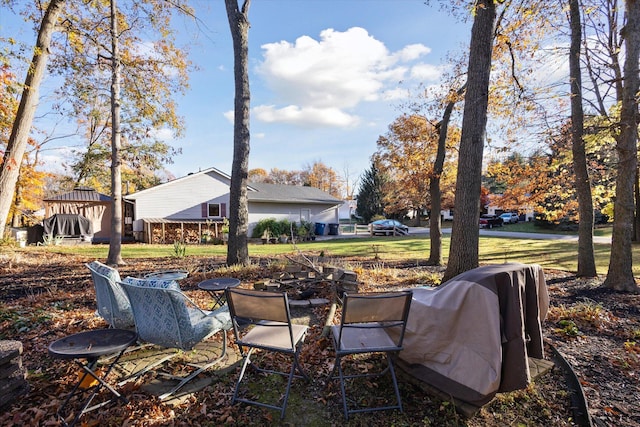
[[315, 82]]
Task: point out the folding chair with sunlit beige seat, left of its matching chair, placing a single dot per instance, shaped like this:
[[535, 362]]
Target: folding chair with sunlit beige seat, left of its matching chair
[[261, 320]]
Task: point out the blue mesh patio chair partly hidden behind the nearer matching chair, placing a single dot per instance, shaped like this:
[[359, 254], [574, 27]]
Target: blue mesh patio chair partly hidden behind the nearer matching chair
[[113, 303]]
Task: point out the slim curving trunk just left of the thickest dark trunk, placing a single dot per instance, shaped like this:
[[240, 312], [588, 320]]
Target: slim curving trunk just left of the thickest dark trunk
[[435, 222]]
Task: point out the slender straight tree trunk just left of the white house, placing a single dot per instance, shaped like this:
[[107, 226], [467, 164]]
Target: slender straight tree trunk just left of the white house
[[115, 237]]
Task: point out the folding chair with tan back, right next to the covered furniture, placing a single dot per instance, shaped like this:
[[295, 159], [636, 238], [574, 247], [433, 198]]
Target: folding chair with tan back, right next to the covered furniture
[[371, 323]]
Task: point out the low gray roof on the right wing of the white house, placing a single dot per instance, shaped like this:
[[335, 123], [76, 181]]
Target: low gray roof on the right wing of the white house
[[263, 193]]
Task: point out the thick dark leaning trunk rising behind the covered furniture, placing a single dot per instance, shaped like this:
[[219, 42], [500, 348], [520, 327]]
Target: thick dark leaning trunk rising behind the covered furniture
[[463, 253]]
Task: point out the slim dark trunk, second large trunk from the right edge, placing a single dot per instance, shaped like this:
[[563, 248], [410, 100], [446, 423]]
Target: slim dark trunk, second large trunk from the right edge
[[586, 257]]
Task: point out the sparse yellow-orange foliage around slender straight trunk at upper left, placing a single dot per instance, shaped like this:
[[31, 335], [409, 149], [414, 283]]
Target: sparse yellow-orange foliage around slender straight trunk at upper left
[[154, 71]]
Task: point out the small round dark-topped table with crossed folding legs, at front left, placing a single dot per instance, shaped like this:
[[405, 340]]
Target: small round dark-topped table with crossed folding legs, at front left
[[90, 346]]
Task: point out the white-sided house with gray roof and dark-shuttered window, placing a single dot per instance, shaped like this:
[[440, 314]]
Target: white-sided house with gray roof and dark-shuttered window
[[199, 202]]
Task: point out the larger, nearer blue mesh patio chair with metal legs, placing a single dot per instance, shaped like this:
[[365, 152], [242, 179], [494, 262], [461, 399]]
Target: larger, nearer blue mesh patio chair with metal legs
[[166, 317]]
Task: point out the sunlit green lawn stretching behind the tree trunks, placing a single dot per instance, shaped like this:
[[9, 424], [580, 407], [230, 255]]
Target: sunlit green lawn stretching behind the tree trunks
[[552, 254]]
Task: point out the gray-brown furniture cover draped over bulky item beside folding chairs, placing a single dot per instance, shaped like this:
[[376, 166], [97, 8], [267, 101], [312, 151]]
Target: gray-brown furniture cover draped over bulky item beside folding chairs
[[471, 336]]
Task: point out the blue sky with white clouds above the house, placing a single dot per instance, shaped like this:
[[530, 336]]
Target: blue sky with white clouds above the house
[[327, 77]]
